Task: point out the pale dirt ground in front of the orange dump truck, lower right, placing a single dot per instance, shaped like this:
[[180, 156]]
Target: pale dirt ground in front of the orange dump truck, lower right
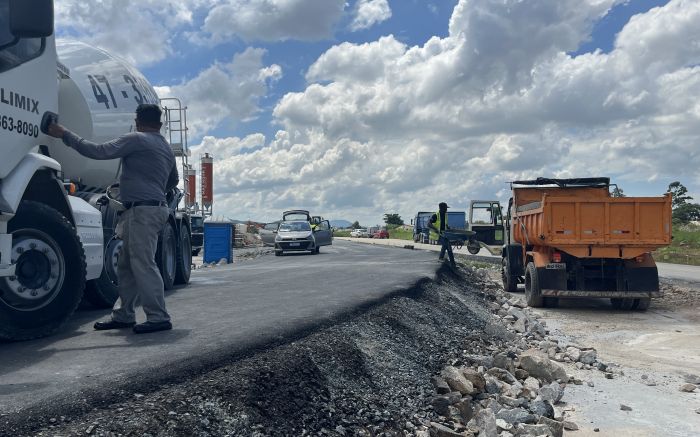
[[656, 352]]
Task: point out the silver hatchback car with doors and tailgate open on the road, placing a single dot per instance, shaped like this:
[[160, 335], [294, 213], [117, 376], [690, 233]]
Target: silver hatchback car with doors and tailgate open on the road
[[297, 236]]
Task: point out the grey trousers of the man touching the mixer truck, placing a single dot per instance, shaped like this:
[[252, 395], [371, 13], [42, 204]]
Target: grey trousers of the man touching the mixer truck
[[139, 277]]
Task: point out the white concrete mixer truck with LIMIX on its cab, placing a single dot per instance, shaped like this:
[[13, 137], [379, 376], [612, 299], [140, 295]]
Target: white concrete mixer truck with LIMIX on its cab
[[57, 239]]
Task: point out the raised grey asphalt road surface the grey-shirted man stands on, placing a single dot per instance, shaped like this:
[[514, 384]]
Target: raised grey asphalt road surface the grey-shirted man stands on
[[225, 312]]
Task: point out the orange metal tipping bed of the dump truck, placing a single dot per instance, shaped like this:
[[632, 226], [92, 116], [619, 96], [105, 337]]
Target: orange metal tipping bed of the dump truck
[[589, 223]]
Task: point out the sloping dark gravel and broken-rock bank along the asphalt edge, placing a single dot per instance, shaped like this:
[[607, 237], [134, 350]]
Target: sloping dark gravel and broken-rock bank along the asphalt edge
[[454, 358]]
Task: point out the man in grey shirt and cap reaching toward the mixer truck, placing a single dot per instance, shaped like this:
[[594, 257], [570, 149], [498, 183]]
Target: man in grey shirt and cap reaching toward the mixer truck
[[148, 172]]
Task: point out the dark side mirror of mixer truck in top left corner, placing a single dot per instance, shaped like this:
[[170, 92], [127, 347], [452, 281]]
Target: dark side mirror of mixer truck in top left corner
[[31, 18]]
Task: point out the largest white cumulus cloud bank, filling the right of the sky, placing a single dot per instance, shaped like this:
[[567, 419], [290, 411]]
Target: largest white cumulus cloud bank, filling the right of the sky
[[384, 127]]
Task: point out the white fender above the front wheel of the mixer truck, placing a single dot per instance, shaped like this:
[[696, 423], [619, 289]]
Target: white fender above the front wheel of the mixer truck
[[14, 186]]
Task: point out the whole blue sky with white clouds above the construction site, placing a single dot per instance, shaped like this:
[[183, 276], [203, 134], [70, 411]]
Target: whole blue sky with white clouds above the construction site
[[355, 108]]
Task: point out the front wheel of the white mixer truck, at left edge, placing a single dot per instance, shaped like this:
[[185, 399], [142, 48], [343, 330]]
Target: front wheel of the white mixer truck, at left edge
[[50, 275]]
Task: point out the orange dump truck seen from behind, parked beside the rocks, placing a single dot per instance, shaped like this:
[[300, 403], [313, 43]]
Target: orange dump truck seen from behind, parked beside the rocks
[[571, 238]]
